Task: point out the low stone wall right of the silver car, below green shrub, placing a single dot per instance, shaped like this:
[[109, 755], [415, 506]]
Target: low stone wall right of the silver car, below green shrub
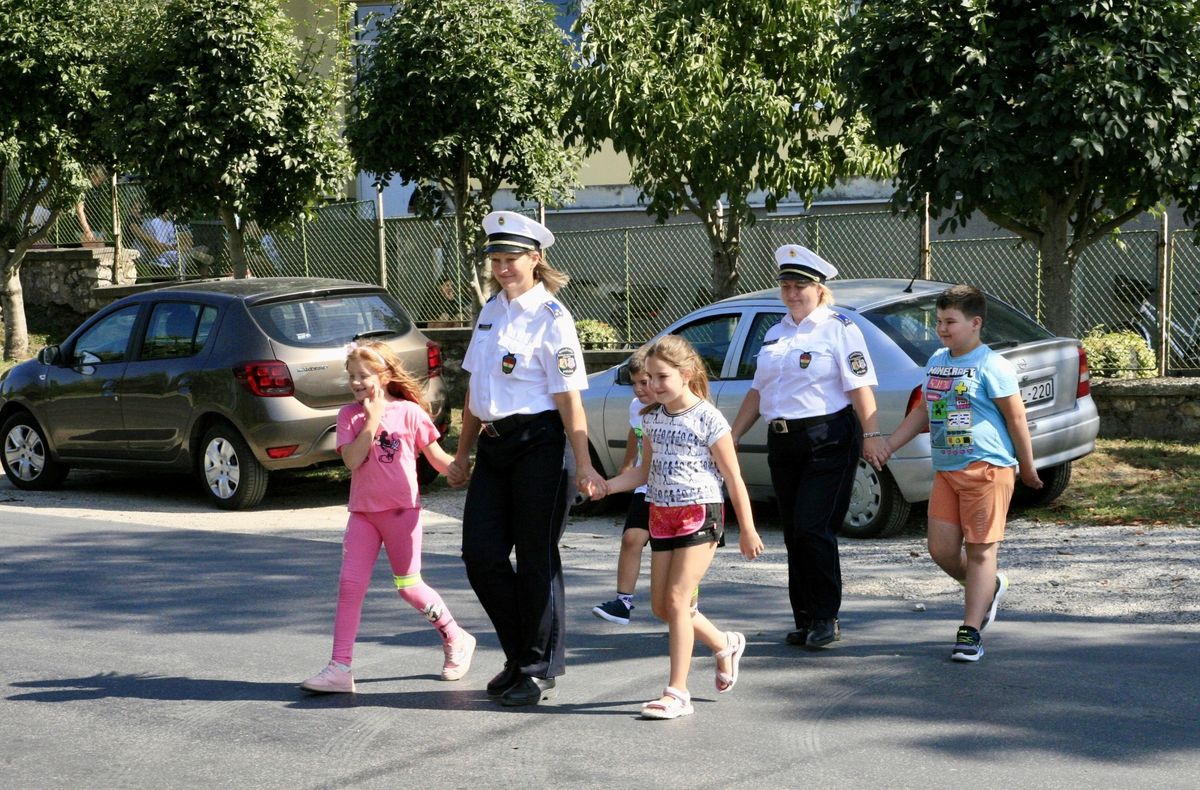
[[1153, 409]]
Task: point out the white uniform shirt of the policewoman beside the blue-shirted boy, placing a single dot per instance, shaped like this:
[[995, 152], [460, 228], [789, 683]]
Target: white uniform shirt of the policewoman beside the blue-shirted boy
[[806, 369]]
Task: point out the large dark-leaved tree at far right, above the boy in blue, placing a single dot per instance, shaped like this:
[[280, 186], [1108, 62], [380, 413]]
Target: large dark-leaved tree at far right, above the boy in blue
[[1059, 121]]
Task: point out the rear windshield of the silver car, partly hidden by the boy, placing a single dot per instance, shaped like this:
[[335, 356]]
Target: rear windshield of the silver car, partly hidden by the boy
[[913, 326]]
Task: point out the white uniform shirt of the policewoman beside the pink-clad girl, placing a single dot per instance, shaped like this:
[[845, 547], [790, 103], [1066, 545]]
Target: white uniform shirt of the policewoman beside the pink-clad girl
[[521, 354]]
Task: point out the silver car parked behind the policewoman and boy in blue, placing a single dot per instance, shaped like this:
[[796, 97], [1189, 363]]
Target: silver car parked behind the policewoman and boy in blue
[[898, 324]]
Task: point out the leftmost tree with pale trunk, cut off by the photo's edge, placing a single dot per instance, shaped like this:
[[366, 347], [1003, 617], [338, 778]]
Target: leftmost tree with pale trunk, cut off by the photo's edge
[[51, 95]]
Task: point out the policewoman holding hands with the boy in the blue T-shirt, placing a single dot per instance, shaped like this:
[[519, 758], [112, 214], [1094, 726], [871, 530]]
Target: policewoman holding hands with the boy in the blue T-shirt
[[813, 385]]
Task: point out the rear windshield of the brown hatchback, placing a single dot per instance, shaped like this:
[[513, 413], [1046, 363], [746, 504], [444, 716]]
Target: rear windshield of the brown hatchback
[[321, 321]]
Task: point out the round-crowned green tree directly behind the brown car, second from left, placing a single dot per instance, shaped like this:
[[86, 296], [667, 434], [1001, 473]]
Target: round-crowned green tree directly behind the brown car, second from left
[[223, 112]]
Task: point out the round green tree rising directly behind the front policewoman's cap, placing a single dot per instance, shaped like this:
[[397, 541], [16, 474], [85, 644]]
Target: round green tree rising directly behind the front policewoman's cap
[[465, 97]]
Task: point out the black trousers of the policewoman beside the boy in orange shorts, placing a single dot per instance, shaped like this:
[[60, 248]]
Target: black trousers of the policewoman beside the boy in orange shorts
[[813, 471]]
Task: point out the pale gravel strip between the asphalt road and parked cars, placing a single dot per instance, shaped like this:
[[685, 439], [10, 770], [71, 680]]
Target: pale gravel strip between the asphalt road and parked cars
[[1123, 573]]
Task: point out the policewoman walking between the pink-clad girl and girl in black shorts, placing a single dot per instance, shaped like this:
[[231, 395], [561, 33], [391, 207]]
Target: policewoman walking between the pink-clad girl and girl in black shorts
[[526, 375]]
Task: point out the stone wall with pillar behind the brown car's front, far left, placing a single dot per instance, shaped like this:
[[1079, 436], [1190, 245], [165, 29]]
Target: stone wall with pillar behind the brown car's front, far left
[[64, 280]]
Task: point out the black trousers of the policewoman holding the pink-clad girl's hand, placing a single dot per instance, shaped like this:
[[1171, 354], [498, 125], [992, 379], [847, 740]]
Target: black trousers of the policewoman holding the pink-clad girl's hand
[[518, 499]]
